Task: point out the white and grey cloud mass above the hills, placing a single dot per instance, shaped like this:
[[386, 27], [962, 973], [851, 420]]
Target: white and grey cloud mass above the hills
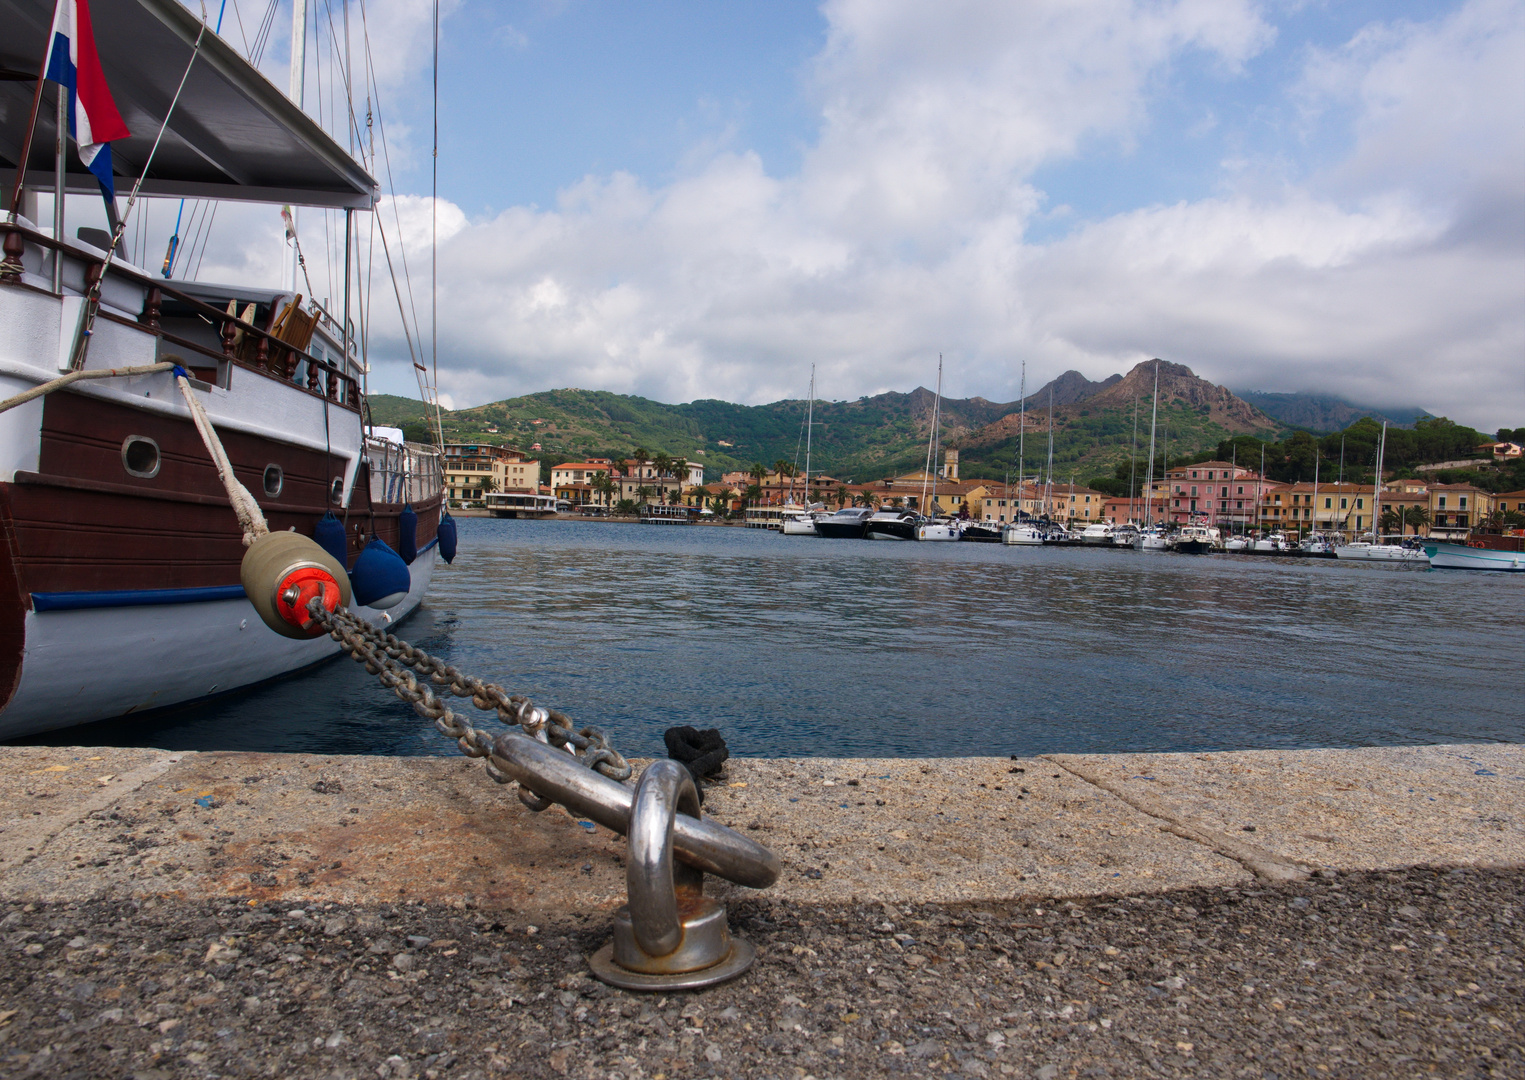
[[1395, 275]]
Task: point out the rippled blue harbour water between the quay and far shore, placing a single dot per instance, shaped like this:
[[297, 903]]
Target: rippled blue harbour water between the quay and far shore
[[794, 646]]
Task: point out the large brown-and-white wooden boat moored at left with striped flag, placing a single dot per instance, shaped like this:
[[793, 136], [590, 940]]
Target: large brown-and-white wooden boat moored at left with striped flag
[[120, 585]]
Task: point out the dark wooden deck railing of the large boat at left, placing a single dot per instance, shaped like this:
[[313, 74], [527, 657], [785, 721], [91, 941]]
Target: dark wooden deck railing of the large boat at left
[[272, 358]]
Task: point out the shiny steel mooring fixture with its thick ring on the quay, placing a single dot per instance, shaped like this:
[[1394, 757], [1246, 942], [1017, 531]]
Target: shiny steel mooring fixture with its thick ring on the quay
[[670, 936]]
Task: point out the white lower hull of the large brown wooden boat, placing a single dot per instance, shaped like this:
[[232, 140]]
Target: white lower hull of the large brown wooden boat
[[150, 657]]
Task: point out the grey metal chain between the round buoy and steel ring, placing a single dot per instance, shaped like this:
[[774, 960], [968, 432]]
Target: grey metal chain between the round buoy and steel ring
[[399, 664]]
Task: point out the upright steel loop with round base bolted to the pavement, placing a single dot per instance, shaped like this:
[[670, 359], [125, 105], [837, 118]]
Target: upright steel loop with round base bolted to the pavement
[[670, 936]]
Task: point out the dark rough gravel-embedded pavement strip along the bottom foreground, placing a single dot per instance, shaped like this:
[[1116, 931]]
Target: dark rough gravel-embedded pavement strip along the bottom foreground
[[1402, 974]]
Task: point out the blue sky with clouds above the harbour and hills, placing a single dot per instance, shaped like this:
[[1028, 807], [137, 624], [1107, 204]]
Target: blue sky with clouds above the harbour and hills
[[702, 201]]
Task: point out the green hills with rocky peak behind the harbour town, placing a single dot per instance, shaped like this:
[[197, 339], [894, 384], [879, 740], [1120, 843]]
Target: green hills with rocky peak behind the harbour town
[[861, 440]]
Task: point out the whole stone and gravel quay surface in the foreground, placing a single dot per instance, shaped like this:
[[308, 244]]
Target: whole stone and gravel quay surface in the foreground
[[1271, 913]]
